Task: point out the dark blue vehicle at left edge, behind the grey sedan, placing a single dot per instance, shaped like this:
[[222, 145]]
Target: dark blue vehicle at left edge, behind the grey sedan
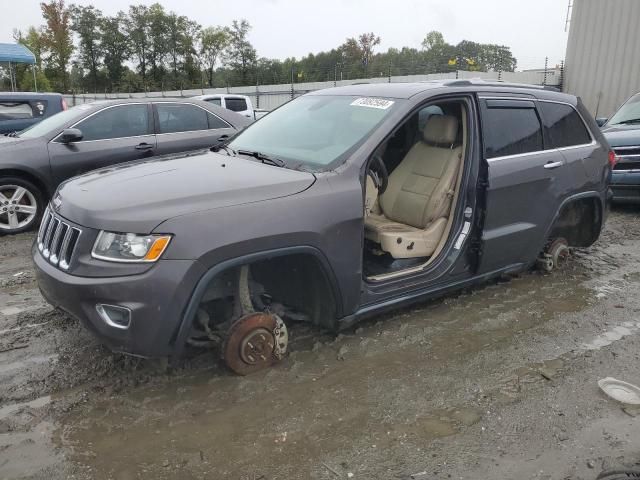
[[20, 110]]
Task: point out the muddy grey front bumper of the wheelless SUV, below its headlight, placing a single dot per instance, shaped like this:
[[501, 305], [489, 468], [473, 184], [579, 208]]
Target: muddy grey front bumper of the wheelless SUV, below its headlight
[[156, 298]]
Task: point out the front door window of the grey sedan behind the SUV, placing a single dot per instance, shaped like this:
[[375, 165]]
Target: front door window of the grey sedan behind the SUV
[[116, 122]]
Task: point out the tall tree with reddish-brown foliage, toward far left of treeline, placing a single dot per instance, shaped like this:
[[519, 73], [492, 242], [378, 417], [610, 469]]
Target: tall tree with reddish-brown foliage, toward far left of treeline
[[57, 40]]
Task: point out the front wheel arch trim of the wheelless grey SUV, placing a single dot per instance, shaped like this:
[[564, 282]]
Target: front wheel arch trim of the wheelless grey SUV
[[322, 273]]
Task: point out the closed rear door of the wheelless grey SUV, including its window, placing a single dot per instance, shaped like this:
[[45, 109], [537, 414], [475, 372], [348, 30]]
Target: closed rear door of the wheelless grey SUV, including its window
[[524, 184]]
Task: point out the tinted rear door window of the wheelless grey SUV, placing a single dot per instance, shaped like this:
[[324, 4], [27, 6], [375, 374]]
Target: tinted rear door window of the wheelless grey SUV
[[511, 128]]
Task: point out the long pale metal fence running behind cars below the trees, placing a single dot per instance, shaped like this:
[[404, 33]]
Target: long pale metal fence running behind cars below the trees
[[268, 97]]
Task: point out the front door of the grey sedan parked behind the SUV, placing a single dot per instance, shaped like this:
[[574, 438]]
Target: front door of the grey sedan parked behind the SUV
[[69, 160]]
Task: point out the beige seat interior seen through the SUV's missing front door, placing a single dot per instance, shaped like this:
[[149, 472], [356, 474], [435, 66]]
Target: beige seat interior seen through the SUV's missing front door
[[411, 190]]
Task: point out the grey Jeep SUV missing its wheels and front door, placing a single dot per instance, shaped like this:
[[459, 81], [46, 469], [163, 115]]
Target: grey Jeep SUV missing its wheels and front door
[[340, 204]]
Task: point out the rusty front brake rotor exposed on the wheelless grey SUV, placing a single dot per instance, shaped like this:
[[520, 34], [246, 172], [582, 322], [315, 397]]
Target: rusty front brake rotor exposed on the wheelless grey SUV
[[254, 342]]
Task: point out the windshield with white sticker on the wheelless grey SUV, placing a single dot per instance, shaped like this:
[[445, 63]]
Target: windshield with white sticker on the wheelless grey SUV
[[315, 130]]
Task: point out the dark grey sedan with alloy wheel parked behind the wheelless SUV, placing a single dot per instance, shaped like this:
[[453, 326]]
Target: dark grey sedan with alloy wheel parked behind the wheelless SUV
[[34, 161]]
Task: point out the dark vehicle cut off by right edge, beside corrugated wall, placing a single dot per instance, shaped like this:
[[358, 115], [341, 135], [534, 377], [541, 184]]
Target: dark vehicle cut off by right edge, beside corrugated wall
[[622, 131]]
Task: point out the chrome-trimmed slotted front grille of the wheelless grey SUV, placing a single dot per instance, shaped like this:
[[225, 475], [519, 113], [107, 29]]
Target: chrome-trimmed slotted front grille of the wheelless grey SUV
[[57, 240]]
